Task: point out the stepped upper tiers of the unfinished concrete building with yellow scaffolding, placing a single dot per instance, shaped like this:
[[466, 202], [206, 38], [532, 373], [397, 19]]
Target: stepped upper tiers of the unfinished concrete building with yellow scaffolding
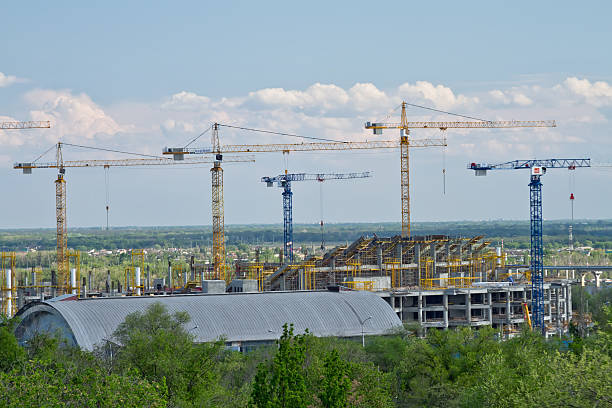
[[426, 262]]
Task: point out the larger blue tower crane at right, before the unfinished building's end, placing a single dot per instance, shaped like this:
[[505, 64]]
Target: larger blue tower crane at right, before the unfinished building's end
[[538, 168]]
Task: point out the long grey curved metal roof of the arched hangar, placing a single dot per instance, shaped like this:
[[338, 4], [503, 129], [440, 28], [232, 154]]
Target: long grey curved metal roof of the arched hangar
[[236, 317]]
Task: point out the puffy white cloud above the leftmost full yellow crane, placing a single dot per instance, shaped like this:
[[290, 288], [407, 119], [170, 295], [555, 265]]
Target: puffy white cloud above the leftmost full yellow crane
[[73, 117]]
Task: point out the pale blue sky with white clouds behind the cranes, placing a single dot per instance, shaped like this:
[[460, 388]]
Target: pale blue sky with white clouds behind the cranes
[[139, 76]]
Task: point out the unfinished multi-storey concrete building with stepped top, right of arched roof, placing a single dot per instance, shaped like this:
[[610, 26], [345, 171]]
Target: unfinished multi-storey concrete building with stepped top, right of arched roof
[[435, 281]]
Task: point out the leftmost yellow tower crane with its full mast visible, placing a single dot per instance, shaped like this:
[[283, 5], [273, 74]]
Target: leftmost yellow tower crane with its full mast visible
[[60, 190]]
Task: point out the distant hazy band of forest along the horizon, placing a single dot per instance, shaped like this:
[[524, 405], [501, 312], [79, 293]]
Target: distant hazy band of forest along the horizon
[[597, 233]]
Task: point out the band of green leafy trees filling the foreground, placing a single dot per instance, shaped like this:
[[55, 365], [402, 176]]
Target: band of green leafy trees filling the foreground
[[151, 361]]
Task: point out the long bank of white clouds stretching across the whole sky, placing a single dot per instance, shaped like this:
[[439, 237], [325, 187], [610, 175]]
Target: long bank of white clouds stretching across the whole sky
[[328, 111]]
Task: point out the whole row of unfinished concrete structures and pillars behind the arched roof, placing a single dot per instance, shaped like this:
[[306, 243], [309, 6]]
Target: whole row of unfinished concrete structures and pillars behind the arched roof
[[432, 281]]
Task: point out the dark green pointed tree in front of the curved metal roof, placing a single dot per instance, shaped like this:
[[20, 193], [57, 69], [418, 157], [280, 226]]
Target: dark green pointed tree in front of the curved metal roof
[[283, 383]]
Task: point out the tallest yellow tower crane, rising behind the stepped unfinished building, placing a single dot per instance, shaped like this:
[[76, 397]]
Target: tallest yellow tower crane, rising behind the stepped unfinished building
[[404, 127]]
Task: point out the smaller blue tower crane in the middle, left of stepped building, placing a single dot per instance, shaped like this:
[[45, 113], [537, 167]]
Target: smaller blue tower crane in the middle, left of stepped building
[[284, 181]]
